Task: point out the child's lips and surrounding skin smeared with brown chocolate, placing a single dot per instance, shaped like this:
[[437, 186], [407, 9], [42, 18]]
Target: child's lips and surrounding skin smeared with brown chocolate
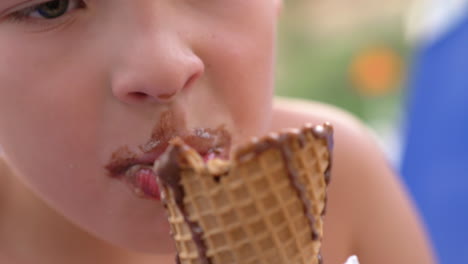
[[135, 169]]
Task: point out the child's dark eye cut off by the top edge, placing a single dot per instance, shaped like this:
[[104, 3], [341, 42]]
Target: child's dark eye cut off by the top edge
[[48, 10]]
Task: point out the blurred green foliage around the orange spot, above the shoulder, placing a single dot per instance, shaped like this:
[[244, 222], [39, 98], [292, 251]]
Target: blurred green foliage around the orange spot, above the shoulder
[[317, 66]]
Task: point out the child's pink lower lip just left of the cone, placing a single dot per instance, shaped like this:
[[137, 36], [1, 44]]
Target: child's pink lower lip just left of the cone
[[143, 182]]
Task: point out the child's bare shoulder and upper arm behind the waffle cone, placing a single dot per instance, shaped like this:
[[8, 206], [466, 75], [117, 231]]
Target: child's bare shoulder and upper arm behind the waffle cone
[[369, 212]]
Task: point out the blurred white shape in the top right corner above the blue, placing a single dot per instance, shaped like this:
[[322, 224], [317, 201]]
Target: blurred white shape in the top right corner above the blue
[[428, 19]]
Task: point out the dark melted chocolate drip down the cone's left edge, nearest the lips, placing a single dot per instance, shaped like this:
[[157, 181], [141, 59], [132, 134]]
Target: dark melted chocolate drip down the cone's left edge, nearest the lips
[[169, 176]]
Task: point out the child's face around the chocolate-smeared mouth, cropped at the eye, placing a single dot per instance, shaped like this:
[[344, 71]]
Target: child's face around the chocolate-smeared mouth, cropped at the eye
[[97, 75]]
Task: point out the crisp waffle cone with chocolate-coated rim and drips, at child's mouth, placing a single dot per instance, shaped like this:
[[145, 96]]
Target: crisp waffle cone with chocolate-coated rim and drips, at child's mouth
[[264, 205]]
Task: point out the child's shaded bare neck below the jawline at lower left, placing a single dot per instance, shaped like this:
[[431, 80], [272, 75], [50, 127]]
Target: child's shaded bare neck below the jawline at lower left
[[32, 232]]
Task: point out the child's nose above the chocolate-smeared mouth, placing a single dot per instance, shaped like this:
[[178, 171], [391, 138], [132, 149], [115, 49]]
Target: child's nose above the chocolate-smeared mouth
[[155, 69]]
